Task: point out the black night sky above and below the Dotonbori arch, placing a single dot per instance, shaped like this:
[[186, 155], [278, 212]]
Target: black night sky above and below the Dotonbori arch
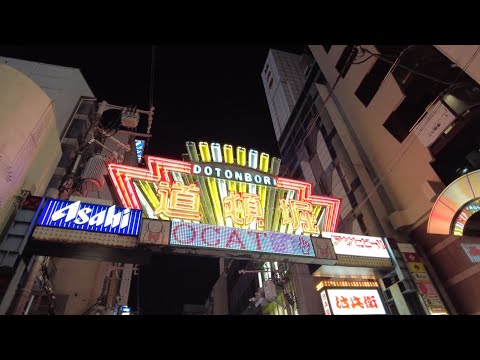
[[208, 93]]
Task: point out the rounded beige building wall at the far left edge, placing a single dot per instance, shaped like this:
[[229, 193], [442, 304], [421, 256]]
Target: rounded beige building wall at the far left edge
[[29, 142]]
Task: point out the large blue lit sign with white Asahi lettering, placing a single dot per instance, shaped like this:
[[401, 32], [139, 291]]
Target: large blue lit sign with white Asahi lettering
[[89, 217]]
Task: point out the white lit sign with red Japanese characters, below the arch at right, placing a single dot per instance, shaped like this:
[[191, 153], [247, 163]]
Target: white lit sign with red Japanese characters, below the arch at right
[[355, 302]]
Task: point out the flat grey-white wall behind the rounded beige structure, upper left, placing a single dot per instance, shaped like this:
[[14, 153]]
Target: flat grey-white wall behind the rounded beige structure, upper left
[[64, 85]]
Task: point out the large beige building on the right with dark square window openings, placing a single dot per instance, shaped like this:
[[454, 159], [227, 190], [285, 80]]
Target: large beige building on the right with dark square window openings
[[407, 129]]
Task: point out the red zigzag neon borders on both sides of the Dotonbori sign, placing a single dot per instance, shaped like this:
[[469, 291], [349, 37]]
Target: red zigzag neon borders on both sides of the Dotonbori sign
[[157, 170]]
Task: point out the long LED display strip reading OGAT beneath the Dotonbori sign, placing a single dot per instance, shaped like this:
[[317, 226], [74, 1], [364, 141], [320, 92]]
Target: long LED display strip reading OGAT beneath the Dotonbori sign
[[219, 237]]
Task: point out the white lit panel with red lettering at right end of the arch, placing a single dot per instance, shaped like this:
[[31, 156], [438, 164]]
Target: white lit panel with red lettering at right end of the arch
[[357, 245]]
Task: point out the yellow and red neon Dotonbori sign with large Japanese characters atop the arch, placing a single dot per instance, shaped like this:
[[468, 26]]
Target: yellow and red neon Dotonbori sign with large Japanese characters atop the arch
[[217, 188]]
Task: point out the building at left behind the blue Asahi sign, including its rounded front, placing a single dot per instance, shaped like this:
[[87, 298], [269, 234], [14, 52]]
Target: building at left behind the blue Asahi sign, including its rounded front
[[47, 112]]
